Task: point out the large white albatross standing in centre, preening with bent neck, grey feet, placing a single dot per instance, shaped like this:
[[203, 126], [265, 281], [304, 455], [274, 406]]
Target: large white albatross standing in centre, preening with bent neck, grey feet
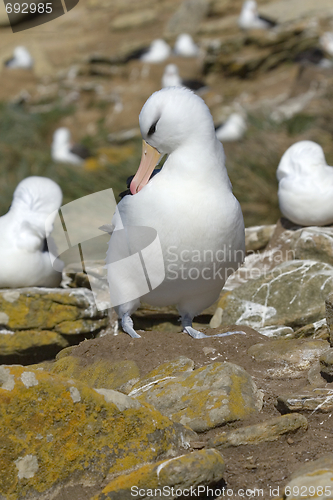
[[189, 203]]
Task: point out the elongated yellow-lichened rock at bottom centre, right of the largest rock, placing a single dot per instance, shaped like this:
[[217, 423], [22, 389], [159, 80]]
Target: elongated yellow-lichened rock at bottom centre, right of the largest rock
[[196, 469]]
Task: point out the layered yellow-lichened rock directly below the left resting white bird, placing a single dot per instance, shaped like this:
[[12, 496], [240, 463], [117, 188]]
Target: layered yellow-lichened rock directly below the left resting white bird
[[35, 323]]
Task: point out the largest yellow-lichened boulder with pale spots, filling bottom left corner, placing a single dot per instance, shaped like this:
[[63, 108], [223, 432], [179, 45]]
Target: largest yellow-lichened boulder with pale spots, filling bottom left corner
[[58, 433]]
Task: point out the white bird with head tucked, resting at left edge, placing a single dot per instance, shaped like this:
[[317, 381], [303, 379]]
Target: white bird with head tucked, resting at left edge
[[25, 260]]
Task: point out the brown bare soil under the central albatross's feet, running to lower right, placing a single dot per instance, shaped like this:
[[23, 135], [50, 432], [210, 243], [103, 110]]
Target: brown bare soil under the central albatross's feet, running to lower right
[[263, 466]]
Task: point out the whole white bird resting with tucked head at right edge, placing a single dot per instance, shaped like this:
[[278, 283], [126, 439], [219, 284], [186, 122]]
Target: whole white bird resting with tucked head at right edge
[[305, 185]]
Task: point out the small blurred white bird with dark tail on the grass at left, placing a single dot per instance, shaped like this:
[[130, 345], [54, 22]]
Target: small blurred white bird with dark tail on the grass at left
[[63, 151]]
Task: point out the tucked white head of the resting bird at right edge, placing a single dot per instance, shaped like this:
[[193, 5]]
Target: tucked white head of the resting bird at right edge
[[302, 157]]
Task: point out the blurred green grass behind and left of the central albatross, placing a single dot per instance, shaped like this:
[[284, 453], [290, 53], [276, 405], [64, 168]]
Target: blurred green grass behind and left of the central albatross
[[25, 142]]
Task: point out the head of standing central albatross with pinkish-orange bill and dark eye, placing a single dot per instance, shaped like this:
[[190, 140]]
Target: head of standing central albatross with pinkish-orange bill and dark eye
[[171, 118]]
